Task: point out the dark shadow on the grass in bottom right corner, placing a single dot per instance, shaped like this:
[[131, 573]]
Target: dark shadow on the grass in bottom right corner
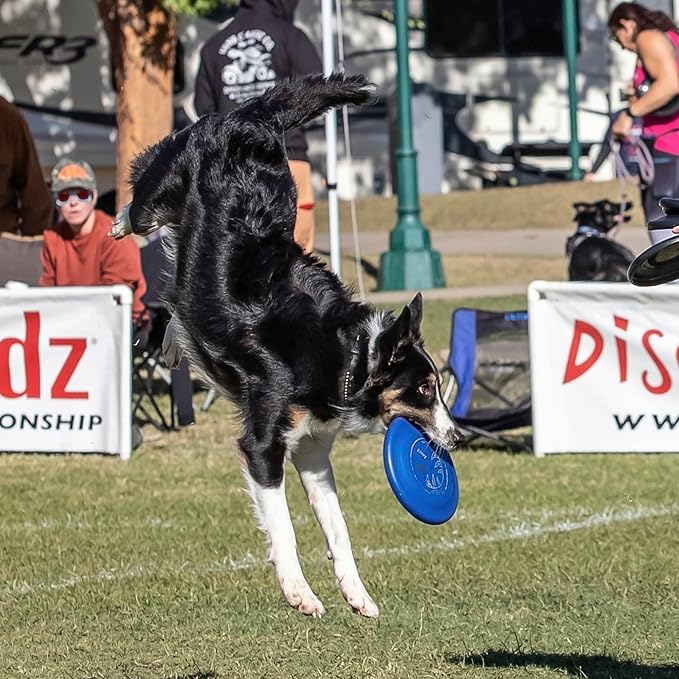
[[581, 666]]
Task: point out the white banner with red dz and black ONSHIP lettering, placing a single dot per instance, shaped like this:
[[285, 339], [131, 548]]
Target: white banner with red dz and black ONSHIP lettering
[[65, 369]]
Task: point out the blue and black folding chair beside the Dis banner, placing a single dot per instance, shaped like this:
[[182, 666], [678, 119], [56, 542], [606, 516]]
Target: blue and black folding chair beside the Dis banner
[[489, 366]]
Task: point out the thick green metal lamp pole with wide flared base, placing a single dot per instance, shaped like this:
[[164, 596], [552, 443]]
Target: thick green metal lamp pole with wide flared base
[[410, 264]]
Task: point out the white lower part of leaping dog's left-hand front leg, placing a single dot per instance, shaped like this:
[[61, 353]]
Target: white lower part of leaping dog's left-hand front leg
[[273, 517]]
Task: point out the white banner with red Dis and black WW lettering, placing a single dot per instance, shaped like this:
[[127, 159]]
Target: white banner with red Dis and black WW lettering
[[604, 367]]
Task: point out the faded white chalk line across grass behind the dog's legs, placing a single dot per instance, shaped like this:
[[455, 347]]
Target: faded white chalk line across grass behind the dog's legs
[[517, 531]]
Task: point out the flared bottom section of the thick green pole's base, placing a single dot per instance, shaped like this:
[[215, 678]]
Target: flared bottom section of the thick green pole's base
[[411, 270]]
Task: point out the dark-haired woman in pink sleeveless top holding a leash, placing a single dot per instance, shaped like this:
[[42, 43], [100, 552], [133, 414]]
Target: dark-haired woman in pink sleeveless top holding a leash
[[654, 38]]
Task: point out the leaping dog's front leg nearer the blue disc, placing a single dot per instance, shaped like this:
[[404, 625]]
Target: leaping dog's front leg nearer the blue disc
[[312, 461]]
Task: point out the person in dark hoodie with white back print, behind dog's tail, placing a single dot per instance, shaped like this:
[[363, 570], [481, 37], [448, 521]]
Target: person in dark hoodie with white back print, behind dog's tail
[[250, 55]]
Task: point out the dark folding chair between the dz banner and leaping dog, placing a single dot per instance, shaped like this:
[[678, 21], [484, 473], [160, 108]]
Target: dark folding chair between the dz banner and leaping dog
[[150, 377]]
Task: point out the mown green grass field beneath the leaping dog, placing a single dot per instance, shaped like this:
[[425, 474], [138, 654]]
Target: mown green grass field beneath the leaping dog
[[557, 567]]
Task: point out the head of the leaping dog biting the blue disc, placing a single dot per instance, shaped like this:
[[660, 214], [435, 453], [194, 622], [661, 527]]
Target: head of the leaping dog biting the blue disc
[[403, 380]]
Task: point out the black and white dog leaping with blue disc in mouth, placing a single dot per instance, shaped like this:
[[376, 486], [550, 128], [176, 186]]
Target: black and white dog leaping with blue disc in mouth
[[272, 327]]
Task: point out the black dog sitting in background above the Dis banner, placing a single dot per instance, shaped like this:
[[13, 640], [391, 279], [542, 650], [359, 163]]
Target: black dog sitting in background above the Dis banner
[[592, 254]]
